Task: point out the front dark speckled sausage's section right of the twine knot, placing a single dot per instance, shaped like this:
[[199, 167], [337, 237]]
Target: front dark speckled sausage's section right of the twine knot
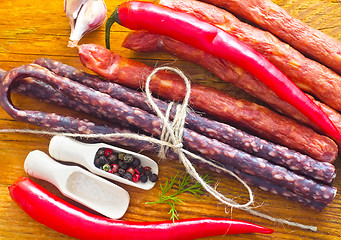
[[227, 155]]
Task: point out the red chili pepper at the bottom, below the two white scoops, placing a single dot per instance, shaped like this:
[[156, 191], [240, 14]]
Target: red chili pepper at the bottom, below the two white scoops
[[63, 217]]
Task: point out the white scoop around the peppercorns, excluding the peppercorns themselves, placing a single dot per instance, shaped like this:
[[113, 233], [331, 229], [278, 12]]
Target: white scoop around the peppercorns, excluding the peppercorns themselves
[[70, 150]]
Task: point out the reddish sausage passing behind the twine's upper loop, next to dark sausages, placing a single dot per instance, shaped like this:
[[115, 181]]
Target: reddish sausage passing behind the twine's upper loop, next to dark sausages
[[251, 116]]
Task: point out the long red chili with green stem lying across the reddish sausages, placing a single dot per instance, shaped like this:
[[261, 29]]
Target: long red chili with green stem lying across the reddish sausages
[[209, 38]]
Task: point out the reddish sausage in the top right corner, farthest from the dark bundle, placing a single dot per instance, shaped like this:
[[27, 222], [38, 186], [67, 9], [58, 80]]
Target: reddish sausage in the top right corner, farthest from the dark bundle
[[273, 18]]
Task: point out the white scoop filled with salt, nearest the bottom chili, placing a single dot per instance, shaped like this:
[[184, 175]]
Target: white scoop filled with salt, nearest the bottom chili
[[78, 184]]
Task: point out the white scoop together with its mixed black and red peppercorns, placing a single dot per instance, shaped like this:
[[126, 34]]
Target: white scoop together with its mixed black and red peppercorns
[[107, 161]]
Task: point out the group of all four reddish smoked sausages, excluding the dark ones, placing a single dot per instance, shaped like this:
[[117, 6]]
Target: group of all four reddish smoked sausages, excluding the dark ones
[[309, 75]]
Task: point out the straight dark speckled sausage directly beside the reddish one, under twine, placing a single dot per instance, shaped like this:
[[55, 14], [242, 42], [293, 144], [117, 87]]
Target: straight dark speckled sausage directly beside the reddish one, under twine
[[277, 154]]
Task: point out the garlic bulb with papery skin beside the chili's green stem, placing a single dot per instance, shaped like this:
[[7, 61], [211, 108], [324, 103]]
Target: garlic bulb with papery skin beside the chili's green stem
[[84, 16]]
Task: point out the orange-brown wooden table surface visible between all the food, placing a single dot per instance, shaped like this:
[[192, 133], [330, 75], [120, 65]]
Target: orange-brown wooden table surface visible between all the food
[[32, 29]]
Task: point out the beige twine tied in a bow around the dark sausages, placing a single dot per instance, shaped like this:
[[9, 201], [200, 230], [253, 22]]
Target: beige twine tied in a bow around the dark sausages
[[171, 137]]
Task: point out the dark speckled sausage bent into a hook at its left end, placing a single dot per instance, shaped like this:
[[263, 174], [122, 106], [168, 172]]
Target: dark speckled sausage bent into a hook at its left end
[[192, 141]]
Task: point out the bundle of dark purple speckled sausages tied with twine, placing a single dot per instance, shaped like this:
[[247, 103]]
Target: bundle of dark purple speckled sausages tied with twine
[[270, 167]]
